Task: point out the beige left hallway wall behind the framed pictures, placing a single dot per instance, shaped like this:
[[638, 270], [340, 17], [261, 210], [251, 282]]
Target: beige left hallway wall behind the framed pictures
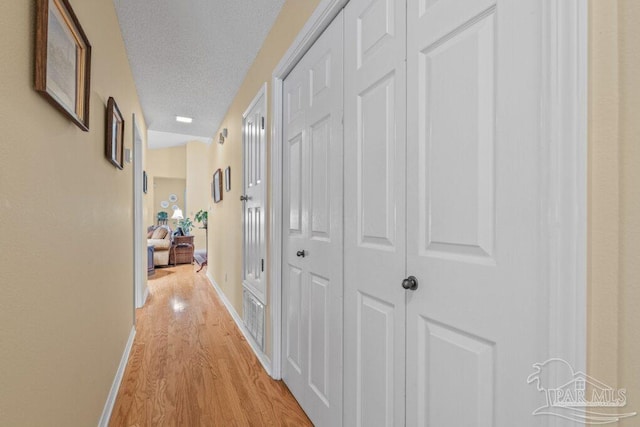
[[66, 281]]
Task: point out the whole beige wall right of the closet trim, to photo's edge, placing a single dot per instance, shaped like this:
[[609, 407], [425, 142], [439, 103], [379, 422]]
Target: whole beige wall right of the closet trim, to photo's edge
[[614, 202]]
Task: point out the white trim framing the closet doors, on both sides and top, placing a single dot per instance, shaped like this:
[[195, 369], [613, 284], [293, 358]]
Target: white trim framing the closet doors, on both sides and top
[[563, 117]]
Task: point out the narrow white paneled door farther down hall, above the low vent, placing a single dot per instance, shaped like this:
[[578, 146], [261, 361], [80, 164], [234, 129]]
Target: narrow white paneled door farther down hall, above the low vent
[[254, 143]]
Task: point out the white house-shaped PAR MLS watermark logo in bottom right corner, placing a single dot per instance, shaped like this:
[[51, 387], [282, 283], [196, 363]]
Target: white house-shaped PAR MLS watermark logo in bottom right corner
[[573, 395]]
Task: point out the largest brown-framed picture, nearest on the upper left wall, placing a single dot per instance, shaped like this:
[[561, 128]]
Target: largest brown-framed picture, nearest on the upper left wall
[[63, 60]]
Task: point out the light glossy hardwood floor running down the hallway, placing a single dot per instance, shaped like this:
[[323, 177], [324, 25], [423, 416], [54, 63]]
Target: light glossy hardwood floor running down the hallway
[[191, 366]]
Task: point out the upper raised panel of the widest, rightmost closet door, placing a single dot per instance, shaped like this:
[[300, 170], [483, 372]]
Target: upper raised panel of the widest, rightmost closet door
[[457, 78]]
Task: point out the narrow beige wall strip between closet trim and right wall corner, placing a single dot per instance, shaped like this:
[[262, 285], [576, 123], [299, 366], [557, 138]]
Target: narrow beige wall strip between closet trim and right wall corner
[[603, 214]]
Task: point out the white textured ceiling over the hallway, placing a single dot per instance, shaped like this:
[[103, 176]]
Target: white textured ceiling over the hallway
[[189, 57]]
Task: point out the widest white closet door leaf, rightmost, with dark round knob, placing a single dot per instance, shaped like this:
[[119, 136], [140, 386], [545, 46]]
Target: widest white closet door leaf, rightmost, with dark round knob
[[475, 324]]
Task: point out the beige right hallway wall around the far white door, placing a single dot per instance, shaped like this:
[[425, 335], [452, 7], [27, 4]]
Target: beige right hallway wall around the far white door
[[225, 219]]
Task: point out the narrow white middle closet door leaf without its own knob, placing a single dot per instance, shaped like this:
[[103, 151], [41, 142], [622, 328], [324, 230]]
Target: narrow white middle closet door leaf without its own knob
[[375, 122]]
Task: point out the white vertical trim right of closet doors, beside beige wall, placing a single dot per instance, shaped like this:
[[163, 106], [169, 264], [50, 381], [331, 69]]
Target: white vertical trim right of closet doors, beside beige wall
[[564, 148]]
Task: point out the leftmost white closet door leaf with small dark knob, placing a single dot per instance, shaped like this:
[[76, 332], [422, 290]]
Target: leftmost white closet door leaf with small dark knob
[[312, 224]]
